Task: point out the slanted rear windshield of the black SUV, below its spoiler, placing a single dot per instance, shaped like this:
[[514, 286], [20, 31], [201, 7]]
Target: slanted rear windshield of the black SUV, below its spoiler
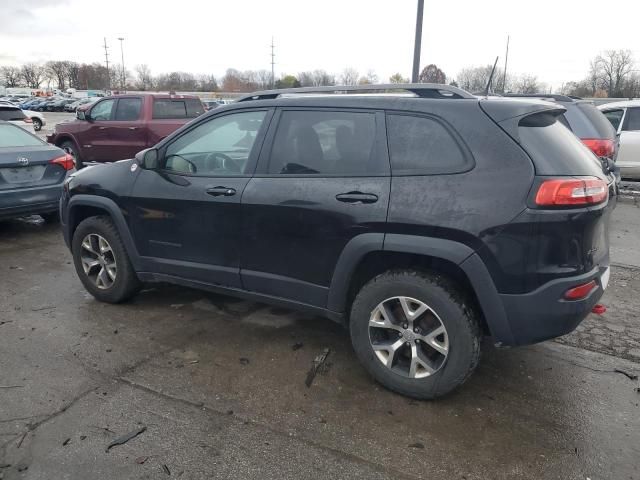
[[554, 149]]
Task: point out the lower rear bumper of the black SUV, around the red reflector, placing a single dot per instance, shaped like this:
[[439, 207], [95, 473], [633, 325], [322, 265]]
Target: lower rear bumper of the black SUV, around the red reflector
[[544, 314]]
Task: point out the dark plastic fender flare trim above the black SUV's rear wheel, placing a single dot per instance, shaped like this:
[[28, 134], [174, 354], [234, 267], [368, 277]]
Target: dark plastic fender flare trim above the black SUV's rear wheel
[[455, 252]]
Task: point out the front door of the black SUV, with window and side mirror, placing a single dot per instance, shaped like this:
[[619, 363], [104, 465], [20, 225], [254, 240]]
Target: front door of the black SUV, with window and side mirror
[[186, 214]]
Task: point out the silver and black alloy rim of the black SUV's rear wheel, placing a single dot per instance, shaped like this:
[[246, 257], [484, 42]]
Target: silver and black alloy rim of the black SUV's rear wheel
[[408, 337]]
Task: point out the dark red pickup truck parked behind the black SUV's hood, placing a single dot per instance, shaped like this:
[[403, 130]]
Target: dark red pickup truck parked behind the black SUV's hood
[[116, 128]]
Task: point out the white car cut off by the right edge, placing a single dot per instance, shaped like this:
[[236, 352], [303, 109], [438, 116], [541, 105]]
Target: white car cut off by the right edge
[[625, 119]]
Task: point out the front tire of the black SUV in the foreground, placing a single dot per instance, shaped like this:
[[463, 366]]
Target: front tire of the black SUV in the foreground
[[124, 284]]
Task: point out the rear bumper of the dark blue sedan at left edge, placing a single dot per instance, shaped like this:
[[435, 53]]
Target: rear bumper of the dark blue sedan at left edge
[[29, 201]]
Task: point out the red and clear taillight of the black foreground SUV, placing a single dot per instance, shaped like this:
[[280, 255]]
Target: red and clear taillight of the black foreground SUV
[[574, 191]]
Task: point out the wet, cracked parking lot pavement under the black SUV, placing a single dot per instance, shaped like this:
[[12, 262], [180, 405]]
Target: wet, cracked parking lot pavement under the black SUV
[[219, 385]]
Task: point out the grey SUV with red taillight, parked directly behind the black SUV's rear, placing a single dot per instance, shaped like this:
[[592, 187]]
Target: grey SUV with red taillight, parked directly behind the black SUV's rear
[[585, 120]]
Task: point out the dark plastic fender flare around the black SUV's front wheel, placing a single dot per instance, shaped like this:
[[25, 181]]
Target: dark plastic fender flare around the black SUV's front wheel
[[116, 215]]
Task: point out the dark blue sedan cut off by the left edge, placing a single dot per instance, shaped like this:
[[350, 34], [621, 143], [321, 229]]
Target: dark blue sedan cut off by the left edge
[[31, 174]]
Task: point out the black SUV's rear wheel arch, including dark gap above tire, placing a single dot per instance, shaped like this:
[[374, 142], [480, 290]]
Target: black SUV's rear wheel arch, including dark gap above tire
[[370, 254]]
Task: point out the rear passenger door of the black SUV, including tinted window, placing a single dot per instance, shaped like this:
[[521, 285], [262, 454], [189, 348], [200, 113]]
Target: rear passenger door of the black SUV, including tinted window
[[323, 179]]
